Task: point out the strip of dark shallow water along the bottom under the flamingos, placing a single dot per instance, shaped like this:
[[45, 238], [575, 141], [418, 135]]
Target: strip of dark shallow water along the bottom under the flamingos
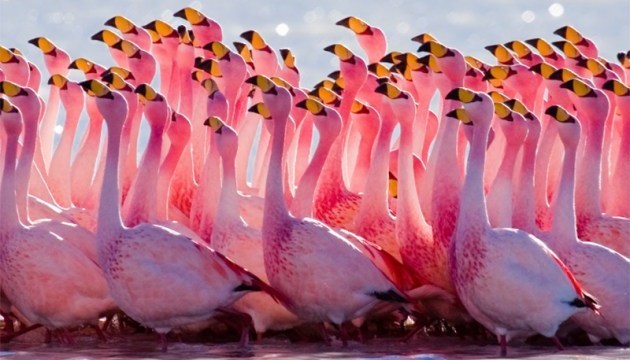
[[145, 347]]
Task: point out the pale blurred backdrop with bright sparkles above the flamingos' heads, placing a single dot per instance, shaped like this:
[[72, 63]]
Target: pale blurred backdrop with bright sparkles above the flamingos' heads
[[308, 26]]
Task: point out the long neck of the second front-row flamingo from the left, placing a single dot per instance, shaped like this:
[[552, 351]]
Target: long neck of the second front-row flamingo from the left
[[109, 220]]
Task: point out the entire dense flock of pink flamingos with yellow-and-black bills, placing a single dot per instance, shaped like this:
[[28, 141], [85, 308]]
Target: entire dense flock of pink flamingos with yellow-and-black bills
[[272, 205]]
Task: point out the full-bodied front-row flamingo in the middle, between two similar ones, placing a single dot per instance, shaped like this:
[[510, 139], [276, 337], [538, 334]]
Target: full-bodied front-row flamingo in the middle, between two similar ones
[[301, 268]]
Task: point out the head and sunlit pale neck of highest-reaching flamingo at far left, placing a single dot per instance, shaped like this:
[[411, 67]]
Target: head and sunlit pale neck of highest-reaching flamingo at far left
[[57, 62]]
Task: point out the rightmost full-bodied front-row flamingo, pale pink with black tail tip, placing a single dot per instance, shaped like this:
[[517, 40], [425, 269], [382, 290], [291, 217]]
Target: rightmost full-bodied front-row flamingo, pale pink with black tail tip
[[535, 282]]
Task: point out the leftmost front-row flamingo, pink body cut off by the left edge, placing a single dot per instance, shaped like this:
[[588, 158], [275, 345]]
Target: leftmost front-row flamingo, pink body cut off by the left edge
[[49, 281]]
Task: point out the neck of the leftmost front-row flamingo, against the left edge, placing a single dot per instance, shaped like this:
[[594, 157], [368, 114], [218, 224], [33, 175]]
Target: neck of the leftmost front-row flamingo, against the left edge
[[8, 207]]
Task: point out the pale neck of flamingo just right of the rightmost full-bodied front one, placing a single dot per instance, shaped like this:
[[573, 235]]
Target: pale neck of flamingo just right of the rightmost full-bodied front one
[[564, 221]]
